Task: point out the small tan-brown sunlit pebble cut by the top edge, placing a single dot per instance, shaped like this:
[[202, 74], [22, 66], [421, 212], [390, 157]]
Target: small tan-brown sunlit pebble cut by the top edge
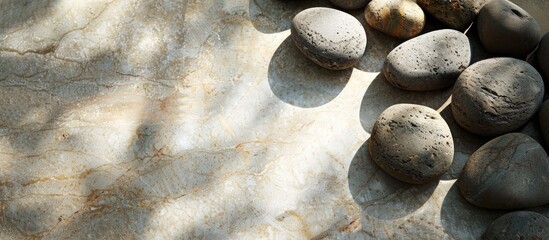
[[398, 18]]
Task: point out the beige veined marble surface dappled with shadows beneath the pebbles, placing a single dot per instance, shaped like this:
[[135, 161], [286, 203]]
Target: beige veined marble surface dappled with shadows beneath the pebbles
[[186, 119]]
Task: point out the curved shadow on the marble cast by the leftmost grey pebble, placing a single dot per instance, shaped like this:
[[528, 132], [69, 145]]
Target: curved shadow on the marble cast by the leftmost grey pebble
[[296, 80]]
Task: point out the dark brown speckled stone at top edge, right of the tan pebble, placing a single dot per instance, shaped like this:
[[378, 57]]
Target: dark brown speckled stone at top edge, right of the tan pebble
[[456, 14]]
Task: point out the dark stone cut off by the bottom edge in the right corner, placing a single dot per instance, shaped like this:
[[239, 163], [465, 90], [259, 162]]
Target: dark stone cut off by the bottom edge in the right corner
[[519, 225]]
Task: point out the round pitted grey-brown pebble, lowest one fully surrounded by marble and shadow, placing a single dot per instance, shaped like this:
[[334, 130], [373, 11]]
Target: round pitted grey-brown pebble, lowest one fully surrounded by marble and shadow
[[412, 143]]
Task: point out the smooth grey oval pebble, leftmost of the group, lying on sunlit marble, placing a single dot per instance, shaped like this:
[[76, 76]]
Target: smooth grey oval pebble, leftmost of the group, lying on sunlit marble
[[331, 38]]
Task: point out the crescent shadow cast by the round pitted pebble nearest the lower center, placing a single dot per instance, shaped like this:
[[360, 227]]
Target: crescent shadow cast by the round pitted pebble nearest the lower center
[[380, 195]]
